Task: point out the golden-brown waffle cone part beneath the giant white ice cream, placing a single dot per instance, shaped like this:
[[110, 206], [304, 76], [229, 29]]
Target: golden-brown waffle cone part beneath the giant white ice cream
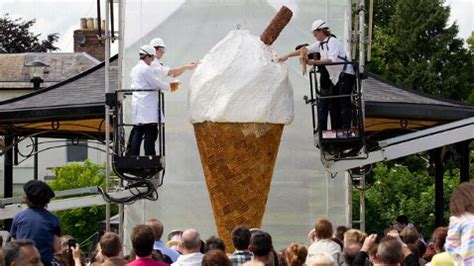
[[238, 161]]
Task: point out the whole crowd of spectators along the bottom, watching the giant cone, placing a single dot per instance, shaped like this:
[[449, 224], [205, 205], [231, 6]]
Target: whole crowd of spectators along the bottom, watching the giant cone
[[36, 240]]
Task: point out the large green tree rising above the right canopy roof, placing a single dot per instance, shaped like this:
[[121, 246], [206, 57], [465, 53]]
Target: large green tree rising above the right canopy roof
[[415, 48]]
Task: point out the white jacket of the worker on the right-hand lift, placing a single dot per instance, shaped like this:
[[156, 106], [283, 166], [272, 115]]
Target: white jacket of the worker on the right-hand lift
[[332, 49]]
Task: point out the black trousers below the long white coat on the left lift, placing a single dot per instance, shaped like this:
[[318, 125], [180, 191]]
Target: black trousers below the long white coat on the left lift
[[150, 131]]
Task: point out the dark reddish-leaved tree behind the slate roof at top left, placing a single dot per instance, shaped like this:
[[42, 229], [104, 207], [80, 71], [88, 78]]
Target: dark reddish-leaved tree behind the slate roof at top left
[[16, 37]]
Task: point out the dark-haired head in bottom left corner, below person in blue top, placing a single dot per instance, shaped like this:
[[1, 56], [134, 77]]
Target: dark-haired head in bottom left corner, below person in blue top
[[21, 253]]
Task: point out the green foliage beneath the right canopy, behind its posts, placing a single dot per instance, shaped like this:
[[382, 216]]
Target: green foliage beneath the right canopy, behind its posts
[[396, 190]]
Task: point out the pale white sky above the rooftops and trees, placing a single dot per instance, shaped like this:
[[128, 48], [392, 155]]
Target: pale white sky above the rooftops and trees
[[64, 16]]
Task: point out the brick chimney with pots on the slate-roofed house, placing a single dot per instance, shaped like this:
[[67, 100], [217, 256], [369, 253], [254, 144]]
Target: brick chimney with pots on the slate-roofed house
[[86, 39]]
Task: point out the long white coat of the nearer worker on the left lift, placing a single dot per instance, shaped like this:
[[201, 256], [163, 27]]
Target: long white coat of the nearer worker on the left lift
[[145, 103]]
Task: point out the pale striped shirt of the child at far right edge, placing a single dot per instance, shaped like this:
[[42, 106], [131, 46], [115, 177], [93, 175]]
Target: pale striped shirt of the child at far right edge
[[460, 240]]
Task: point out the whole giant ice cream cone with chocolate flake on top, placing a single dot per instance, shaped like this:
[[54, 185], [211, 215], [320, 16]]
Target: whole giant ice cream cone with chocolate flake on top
[[239, 101]]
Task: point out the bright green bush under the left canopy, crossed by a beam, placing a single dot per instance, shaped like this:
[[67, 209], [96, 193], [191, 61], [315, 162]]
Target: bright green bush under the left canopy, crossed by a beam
[[81, 222]]
